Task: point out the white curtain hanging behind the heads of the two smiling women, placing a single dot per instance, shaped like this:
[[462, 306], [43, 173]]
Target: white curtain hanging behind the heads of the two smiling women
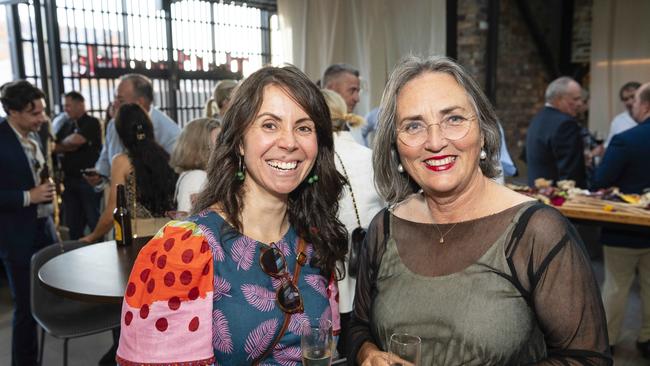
[[371, 35]]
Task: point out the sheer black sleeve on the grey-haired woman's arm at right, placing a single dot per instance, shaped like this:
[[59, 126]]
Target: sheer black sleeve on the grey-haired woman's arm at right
[[549, 261]]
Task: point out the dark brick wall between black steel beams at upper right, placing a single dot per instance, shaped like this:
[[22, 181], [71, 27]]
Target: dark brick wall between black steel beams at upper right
[[521, 74]]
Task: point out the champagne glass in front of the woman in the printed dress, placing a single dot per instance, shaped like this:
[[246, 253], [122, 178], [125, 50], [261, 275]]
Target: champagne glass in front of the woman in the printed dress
[[316, 342]]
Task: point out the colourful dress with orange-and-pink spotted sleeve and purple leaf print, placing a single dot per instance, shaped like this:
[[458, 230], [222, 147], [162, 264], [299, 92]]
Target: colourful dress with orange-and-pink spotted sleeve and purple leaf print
[[198, 296]]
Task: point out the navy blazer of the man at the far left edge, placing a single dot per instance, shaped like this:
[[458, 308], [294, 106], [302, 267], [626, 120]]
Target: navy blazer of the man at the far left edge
[[17, 223]]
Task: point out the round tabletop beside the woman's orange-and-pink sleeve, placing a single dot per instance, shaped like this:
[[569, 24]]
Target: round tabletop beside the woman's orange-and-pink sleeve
[[96, 272]]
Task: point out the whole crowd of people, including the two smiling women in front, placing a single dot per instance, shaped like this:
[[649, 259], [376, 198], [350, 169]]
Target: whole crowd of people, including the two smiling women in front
[[272, 209]]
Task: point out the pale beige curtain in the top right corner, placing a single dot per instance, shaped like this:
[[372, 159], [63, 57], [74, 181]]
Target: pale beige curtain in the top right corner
[[620, 52]]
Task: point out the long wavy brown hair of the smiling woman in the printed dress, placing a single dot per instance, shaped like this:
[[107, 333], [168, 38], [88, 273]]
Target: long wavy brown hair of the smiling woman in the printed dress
[[312, 208]]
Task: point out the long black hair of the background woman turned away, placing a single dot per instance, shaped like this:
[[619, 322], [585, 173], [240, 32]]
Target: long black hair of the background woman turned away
[[154, 178]]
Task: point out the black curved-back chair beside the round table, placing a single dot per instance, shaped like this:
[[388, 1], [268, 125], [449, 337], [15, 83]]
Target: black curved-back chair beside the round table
[[64, 318]]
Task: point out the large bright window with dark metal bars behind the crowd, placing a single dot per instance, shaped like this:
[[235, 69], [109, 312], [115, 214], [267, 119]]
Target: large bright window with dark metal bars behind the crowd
[[184, 47]]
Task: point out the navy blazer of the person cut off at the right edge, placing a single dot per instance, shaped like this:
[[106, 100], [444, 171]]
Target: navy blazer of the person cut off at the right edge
[[625, 165]]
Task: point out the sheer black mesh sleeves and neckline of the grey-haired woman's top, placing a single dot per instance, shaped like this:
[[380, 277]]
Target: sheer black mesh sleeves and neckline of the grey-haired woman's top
[[547, 264]]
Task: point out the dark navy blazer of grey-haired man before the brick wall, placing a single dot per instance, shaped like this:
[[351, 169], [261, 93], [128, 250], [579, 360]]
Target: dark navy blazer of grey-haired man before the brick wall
[[554, 148]]
